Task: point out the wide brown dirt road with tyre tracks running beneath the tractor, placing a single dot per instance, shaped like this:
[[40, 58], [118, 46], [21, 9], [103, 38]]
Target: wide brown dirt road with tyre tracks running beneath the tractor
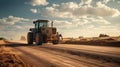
[[64, 55]]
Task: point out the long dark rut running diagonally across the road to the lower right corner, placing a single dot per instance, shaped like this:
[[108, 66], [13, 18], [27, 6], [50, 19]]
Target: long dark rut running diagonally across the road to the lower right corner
[[80, 59]]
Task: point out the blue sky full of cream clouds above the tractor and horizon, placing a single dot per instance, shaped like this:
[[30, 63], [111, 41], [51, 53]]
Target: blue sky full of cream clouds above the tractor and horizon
[[72, 18]]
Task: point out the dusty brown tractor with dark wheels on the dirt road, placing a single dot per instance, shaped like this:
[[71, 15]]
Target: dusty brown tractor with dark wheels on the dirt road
[[42, 33]]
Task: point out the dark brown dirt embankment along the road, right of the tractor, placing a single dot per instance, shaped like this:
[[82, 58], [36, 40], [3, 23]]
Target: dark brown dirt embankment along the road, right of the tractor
[[98, 42]]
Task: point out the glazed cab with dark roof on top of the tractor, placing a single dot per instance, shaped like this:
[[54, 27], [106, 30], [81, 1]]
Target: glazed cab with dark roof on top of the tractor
[[41, 23]]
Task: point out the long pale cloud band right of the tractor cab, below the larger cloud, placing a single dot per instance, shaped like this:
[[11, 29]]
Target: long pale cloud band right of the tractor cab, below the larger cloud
[[78, 22]]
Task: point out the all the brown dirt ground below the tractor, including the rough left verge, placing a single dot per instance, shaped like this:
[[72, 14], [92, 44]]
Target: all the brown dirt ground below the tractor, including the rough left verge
[[20, 54]]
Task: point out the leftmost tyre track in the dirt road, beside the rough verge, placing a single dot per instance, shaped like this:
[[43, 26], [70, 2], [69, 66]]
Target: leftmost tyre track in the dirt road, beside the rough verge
[[30, 58]]
